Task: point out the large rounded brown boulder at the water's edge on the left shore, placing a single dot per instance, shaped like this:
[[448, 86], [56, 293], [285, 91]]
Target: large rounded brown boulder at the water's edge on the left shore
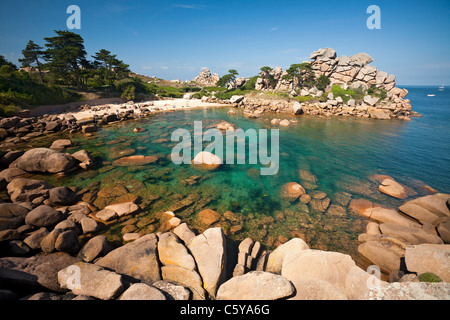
[[44, 160]]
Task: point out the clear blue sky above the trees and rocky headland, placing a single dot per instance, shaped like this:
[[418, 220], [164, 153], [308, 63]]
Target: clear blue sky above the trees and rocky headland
[[176, 39]]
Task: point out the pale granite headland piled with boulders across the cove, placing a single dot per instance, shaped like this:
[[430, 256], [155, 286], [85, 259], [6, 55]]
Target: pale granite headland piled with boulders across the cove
[[354, 88]]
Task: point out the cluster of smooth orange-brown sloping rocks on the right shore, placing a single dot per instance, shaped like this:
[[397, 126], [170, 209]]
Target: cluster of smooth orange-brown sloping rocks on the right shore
[[393, 235]]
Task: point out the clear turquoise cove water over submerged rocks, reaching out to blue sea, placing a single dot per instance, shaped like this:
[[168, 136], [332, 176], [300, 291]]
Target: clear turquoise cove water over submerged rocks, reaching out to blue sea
[[341, 152]]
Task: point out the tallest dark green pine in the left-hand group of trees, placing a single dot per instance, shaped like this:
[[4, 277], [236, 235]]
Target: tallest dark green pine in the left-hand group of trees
[[66, 56]]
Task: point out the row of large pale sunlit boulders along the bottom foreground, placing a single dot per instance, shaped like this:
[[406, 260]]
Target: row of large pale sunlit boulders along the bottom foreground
[[180, 265]]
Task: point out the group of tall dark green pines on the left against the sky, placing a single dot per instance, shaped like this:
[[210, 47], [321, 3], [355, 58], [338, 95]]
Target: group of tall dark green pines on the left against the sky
[[65, 60]]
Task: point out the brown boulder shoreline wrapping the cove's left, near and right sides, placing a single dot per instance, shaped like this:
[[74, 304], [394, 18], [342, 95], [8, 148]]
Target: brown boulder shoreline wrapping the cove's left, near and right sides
[[48, 235]]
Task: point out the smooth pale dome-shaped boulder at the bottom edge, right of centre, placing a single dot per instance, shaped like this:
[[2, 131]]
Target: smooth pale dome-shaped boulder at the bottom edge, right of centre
[[255, 285]]
